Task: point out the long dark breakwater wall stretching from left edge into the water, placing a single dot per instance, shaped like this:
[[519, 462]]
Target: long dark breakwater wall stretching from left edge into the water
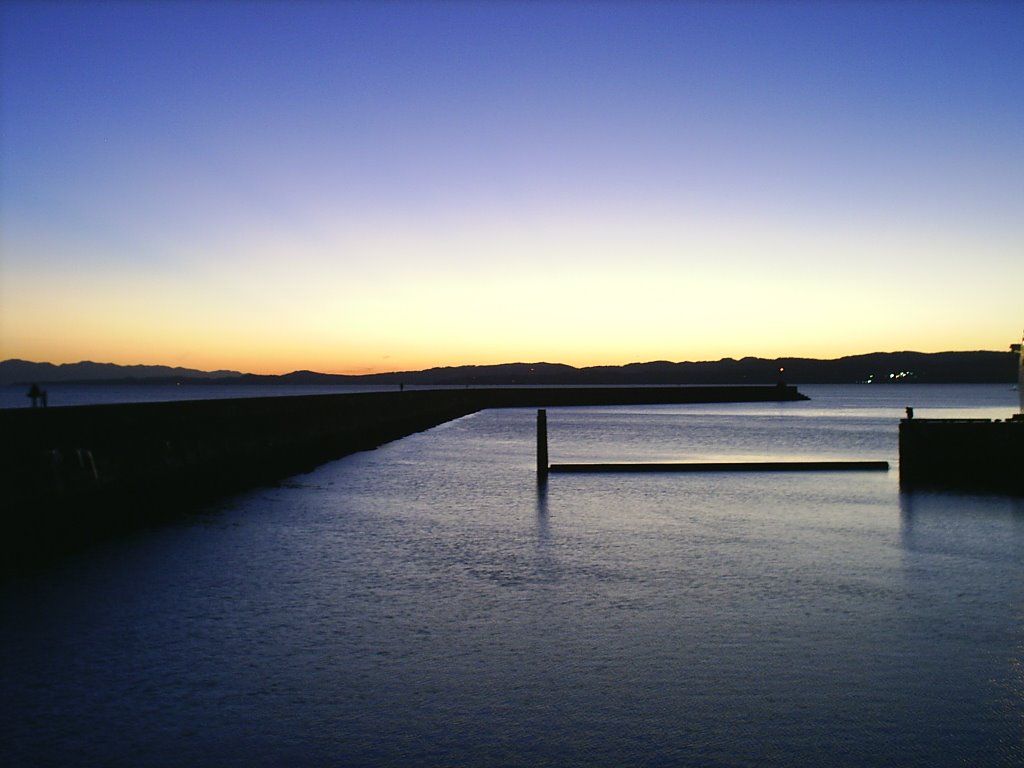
[[72, 476]]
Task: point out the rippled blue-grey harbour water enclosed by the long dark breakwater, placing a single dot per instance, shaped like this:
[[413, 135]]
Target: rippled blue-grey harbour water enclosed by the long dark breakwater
[[429, 604]]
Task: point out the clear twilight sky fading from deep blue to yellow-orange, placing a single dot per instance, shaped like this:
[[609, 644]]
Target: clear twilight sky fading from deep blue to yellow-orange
[[355, 188]]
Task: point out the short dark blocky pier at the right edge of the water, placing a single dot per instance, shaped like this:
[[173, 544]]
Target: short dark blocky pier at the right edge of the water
[[965, 454]]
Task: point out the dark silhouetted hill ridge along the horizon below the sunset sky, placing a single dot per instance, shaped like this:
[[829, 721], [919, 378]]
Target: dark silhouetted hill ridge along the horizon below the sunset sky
[[972, 367]]
